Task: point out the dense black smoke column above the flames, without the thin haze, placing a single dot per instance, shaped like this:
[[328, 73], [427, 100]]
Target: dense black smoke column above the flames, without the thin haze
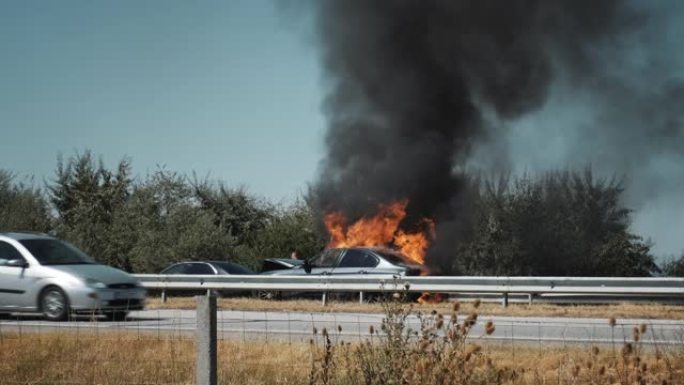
[[413, 86]]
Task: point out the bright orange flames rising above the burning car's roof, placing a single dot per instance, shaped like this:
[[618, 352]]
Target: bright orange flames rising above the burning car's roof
[[381, 230]]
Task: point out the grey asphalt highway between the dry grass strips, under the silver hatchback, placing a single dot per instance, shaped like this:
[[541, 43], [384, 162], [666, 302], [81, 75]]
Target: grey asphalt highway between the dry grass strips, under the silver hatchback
[[292, 326]]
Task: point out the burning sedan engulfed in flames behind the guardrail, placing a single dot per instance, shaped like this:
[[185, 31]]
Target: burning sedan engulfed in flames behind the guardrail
[[350, 261]]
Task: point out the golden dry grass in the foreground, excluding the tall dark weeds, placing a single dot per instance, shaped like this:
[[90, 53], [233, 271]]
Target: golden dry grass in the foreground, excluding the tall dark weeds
[[127, 358]]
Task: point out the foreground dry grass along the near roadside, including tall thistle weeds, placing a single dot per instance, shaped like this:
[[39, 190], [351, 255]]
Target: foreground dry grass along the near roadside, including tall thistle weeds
[[439, 352]]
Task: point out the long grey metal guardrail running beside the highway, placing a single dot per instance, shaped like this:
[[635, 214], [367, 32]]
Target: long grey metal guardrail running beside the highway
[[656, 287]]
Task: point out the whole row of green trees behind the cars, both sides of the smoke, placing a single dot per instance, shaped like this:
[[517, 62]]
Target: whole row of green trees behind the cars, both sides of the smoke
[[561, 223]]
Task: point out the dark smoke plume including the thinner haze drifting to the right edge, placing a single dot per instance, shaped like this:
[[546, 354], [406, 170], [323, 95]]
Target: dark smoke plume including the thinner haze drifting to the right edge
[[421, 92]]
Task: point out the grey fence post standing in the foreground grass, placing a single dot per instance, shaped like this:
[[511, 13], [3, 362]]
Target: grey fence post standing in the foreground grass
[[206, 340]]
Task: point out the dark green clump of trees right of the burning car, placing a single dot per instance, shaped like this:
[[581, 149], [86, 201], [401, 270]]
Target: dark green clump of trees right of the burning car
[[568, 224]]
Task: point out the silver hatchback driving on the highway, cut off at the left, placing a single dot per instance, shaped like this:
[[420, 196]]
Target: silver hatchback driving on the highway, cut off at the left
[[39, 273]]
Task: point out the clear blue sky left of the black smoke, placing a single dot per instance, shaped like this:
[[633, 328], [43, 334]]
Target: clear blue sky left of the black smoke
[[229, 88]]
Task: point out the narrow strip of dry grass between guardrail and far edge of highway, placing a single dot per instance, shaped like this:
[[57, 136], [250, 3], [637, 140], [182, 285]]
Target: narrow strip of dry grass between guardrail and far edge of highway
[[626, 310]]
